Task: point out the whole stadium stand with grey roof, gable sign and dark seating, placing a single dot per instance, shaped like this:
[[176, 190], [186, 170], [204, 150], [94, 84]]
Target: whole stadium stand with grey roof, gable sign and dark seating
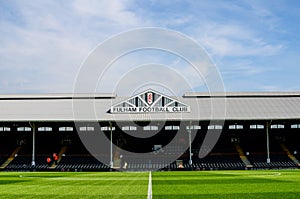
[[253, 130]]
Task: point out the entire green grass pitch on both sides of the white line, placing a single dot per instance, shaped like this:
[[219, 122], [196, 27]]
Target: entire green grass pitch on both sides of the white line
[[202, 184]]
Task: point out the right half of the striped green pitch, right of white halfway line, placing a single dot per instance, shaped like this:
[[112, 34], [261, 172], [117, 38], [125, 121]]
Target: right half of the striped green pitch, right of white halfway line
[[227, 184]]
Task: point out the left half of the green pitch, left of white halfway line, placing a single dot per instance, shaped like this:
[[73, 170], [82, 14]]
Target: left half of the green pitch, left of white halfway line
[[73, 185]]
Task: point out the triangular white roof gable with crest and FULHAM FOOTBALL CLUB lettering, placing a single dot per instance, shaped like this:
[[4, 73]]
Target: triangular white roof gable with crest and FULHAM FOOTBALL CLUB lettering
[[150, 101]]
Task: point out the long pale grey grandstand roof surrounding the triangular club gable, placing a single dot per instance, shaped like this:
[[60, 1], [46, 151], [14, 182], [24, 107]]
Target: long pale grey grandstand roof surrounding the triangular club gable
[[203, 106]]
